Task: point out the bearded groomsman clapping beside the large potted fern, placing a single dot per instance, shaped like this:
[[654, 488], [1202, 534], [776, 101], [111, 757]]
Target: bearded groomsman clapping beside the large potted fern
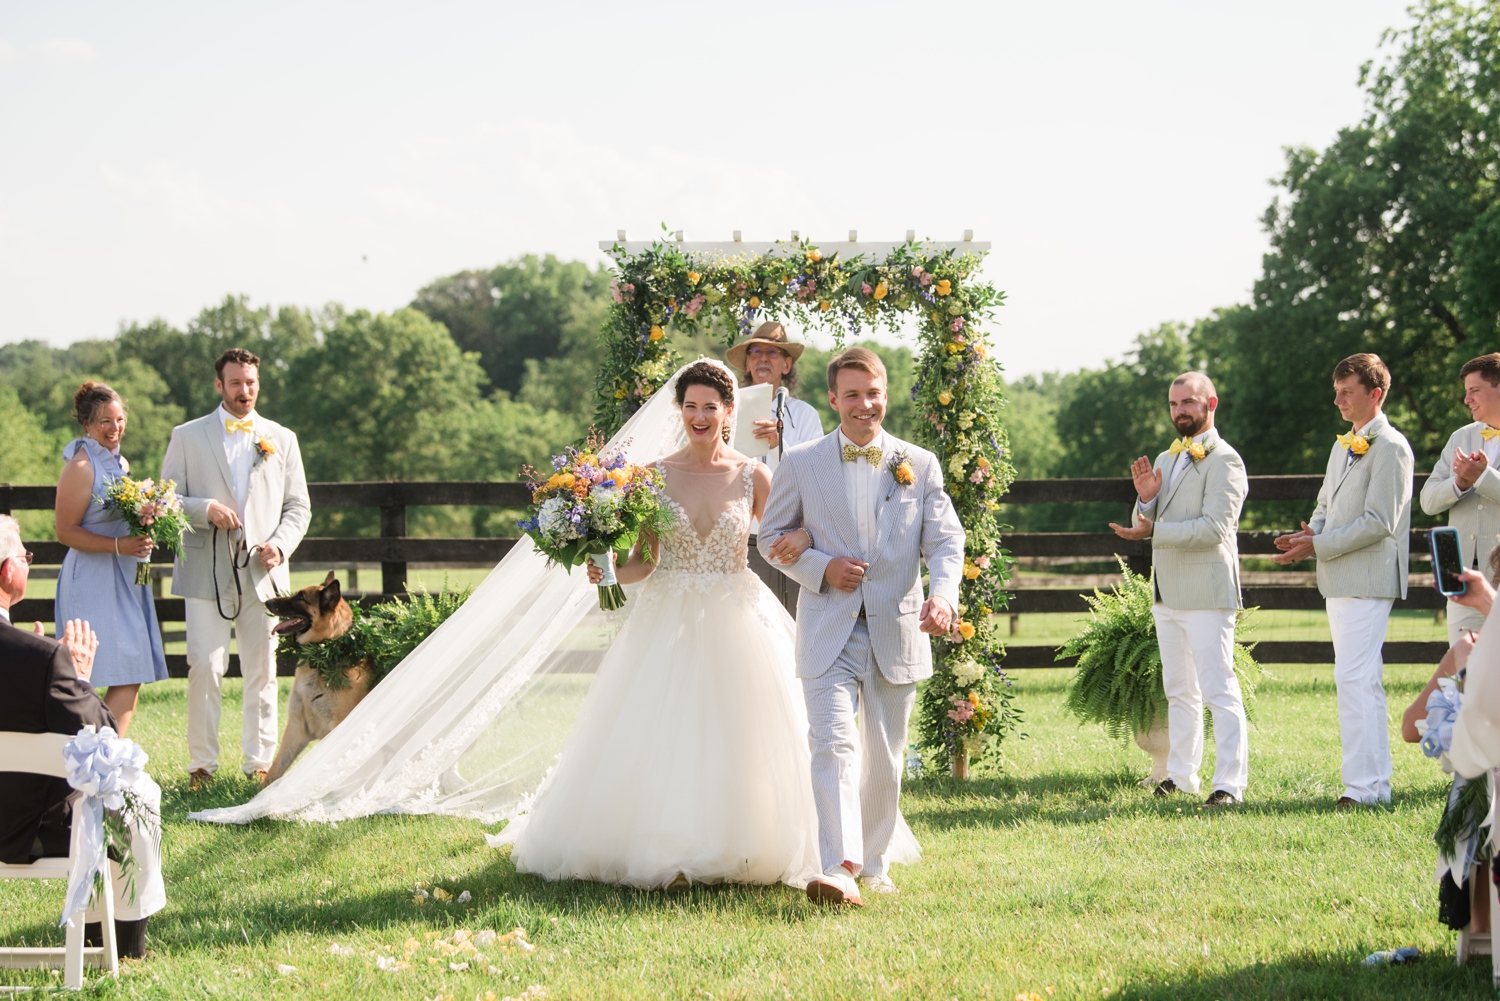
[[1190, 504]]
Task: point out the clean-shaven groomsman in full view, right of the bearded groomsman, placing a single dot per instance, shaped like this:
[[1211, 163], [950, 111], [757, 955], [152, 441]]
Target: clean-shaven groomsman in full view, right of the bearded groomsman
[[1361, 535]]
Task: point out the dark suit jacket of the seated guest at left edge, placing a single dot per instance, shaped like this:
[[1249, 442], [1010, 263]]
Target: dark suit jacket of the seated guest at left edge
[[40, 694]]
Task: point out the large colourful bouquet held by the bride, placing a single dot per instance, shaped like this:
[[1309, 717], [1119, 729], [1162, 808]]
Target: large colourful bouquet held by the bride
[[592, 507]]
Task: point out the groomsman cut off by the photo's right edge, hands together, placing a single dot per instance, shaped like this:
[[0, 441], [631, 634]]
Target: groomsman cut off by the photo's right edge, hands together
[[1466, 484]]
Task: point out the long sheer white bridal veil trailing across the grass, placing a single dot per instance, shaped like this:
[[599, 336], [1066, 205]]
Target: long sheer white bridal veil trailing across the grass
[[470, 723]]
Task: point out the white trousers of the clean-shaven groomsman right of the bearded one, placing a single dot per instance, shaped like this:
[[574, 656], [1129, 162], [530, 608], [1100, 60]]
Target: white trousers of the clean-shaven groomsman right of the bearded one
[[1360, 630]]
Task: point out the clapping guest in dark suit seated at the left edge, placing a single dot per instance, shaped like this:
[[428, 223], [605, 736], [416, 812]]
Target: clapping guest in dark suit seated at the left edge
[[44, 690]]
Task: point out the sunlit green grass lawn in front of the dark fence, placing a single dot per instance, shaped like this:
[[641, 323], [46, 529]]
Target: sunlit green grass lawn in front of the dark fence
[[1054, 874]]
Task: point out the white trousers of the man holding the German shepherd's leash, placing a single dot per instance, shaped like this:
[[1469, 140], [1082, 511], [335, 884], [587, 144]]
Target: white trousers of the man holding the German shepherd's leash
[[208, 660]]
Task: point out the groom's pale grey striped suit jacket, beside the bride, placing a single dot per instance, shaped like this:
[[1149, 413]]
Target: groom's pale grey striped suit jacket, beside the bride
[[917, 523]]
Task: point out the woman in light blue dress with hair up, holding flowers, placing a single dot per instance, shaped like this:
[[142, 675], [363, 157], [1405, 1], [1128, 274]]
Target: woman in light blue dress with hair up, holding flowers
[[98, 577]]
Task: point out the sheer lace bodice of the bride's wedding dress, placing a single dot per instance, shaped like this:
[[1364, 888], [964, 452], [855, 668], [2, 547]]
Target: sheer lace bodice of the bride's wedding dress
[[697, 562]]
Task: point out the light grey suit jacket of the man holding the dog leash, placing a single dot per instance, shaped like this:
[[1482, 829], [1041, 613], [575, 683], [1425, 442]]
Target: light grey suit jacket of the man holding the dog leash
[[277, 510]]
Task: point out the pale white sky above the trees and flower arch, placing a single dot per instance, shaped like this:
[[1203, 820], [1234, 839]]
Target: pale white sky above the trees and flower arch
[[158, 157]]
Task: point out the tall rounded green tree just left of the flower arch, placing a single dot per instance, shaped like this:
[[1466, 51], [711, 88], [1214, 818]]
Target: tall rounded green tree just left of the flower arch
[[526, 310]]
